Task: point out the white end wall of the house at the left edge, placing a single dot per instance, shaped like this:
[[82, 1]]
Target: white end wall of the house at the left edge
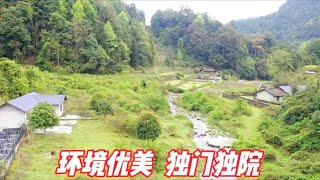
[[11, 117]]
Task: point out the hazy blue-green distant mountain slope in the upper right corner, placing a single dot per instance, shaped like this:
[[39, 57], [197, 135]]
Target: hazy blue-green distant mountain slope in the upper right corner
[[295, 20]]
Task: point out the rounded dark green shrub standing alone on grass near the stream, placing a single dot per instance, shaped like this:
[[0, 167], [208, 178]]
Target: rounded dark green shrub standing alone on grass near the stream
[[148, 127]]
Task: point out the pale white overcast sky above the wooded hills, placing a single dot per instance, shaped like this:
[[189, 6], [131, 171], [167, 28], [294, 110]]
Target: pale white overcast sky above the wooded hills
[[223, 11]]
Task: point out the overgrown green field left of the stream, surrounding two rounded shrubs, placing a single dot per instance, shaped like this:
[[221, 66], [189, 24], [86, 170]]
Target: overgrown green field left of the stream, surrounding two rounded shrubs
[[129, 97]]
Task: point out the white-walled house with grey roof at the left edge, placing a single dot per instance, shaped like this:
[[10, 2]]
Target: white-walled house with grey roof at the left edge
[[13, 114]]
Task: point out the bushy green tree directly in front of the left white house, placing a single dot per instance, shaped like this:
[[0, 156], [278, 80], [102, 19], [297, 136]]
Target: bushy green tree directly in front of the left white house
[[43, 117]]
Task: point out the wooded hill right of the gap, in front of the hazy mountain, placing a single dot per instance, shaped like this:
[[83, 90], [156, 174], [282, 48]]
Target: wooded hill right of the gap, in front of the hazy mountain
[[199, 40]]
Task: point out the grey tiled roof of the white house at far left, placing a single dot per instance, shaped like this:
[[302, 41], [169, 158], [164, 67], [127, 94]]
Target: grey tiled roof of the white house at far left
[[29, 101]]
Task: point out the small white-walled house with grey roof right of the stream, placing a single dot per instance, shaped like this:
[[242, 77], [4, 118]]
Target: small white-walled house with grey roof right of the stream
[[277, 95]]
